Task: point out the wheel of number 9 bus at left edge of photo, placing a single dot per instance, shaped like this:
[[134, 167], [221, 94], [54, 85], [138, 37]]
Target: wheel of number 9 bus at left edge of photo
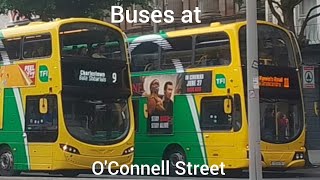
[[6, 162]]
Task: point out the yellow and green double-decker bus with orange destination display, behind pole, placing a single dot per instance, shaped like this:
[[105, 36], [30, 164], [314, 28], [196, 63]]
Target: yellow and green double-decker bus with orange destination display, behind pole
[[190, 95]]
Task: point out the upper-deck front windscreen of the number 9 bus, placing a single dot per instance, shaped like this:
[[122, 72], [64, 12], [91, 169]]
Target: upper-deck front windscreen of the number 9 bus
[[91, 40]]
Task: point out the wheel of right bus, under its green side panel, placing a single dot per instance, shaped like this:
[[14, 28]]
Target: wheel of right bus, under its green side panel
[[174, 155]]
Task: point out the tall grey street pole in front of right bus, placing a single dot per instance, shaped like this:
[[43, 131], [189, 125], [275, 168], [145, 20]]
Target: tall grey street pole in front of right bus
[[255, 166]]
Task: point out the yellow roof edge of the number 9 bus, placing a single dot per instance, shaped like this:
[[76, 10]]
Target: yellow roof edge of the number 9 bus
[[41, 27]]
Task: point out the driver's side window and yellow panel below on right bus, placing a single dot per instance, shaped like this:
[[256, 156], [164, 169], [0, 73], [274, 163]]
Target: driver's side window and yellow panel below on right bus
[[220, 117]]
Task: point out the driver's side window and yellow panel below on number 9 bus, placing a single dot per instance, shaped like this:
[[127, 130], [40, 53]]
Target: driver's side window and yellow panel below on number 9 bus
[[41, 122]]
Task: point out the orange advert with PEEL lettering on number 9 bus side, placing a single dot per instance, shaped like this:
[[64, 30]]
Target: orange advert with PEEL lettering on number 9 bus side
[[14, 75]]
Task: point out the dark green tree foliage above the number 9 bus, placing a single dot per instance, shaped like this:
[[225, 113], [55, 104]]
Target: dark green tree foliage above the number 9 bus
[[48, 9]]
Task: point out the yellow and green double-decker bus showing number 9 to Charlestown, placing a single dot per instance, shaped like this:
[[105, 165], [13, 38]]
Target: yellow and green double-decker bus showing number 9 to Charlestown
[[61, 111]]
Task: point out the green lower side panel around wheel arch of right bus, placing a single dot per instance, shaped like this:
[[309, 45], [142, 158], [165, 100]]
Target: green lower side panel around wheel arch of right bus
[[184, 135]]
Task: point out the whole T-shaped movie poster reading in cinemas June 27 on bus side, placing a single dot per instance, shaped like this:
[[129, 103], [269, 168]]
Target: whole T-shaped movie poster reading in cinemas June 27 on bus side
[[160, 91]]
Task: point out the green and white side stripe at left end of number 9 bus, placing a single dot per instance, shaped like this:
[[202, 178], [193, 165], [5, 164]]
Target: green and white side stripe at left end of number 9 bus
[[12, 133]]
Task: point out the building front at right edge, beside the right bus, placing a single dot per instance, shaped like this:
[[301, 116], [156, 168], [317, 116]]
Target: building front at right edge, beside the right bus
[[311, 57]]
